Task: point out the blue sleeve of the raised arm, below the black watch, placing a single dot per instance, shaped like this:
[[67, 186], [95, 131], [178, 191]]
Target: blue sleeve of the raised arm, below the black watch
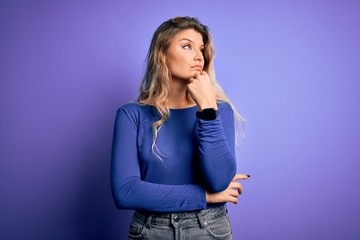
[[217, 150]]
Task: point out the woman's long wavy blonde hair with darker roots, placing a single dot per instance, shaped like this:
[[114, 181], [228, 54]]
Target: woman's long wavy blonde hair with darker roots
[[155, 85]]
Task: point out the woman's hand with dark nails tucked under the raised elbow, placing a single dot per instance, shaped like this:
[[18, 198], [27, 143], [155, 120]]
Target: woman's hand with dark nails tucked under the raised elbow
[[230, 194]]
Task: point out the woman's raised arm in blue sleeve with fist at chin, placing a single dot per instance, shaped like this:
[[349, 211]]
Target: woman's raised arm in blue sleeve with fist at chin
[[216, 138]]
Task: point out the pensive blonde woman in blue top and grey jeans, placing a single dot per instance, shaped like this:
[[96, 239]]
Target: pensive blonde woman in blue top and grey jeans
[[173, 158]]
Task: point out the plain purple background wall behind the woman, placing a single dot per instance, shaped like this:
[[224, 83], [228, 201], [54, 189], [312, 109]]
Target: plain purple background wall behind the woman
[[290, 67]]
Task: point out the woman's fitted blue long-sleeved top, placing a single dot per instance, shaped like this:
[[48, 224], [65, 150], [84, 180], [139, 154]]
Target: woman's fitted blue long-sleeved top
[[189, 156]]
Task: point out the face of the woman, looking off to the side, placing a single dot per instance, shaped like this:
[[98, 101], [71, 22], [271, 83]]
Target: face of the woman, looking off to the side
[[185, 57]]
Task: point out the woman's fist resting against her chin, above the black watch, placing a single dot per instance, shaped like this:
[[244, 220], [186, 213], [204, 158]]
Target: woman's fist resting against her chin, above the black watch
[[201, 90]]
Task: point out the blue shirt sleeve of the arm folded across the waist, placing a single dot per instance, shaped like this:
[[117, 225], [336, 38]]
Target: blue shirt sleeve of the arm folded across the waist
[[129, 191]]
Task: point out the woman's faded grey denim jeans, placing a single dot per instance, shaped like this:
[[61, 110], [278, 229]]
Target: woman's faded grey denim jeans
[[212, 223]]
